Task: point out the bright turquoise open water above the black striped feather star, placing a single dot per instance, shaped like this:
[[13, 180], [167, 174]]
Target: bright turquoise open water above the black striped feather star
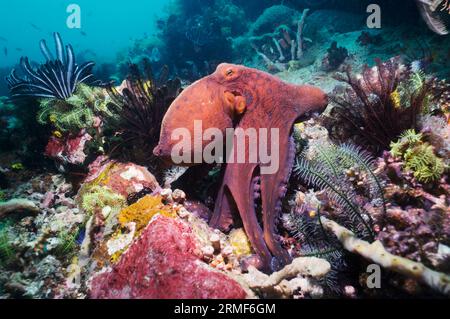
[[107, 26]]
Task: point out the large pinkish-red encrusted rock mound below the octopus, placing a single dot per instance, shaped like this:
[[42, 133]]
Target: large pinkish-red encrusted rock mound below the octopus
[[164, 263]]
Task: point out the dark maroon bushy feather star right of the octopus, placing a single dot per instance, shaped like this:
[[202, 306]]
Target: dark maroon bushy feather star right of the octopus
[[377, 107]]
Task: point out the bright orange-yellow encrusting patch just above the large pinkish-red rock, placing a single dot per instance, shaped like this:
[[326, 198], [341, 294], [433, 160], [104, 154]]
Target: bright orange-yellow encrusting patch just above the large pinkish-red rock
[[143, 211]]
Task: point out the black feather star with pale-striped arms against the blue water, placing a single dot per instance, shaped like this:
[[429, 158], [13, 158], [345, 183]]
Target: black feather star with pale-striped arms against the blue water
[[57, 78]]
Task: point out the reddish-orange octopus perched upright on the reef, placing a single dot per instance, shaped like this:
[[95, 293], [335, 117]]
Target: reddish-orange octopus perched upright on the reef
[[235, 96]]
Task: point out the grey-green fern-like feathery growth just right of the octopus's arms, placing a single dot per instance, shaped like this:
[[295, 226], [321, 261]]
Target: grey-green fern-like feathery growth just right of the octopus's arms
[[341, 171]]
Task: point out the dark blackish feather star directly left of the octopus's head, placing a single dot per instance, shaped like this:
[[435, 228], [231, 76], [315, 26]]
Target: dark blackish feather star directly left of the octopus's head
[[142, 105]]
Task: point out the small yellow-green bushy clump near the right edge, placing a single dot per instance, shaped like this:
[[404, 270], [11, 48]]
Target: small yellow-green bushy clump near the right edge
[[419, 157]]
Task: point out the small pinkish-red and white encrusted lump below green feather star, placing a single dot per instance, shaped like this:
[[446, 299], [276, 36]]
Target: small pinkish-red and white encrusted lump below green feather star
[[69, 150]]
